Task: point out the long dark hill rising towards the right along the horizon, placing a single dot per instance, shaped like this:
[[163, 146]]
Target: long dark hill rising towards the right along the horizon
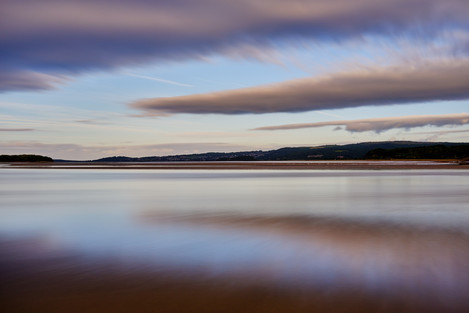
[[366, 150]]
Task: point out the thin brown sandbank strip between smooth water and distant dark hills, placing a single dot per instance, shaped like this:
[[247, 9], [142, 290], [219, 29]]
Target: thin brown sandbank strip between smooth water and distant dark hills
[[257, 165]]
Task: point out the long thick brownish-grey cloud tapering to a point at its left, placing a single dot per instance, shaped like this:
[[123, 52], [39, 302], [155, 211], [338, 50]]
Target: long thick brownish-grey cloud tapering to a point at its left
[[448, 80]]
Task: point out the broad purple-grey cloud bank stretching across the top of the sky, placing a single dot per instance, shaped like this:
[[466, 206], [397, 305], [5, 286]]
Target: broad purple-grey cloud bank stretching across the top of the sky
[[72, 36]]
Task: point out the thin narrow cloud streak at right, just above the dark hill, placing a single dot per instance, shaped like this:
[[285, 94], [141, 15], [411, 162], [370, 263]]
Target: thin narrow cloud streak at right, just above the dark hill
[[382, 124]]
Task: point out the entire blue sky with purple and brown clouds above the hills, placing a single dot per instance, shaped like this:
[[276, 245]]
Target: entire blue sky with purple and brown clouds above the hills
[[85, 79]]
